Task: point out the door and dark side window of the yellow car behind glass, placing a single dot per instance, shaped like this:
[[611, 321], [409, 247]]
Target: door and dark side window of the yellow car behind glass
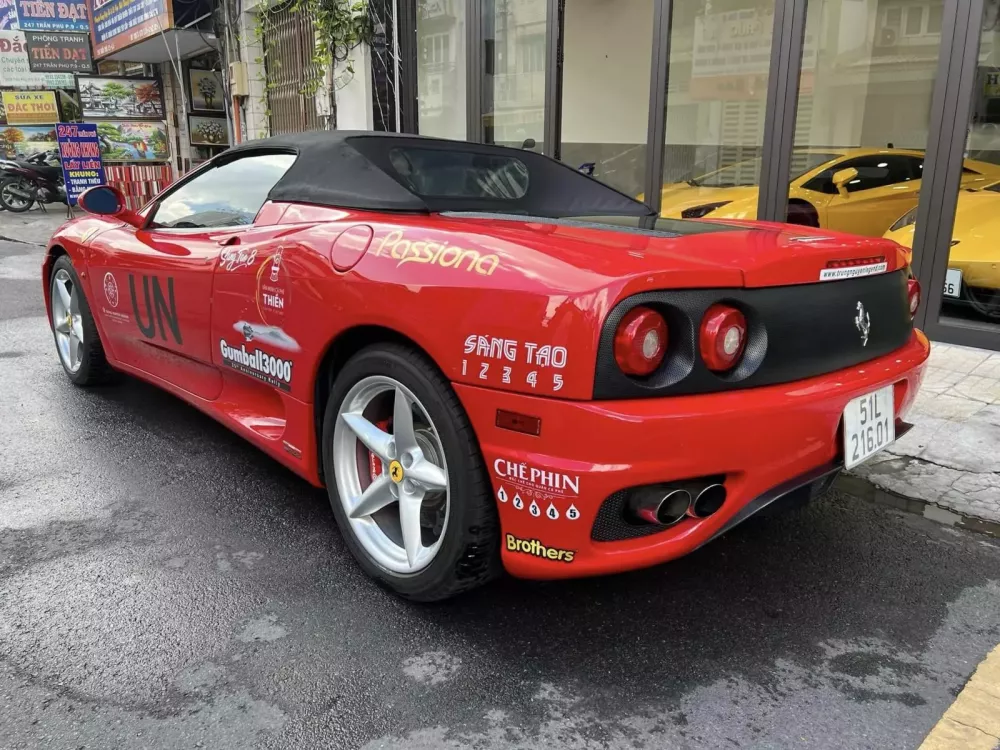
[[886, 187]]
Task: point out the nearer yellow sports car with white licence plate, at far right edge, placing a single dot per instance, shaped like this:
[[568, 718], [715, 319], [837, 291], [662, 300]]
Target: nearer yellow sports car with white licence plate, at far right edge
[[974, 259]]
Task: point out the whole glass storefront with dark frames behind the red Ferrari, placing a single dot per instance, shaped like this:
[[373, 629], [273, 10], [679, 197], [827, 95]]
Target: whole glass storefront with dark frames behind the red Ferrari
[[681, 103]]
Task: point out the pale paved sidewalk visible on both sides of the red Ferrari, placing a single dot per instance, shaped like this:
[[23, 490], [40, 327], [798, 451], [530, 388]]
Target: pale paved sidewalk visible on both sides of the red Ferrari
[[947, 468]]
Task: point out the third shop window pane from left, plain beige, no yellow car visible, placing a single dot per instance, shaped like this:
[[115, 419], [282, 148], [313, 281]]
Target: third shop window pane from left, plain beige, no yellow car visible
[[607, 49]]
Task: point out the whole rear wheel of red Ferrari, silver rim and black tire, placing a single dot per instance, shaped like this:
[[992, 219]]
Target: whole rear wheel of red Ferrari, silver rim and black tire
[[405, 476]]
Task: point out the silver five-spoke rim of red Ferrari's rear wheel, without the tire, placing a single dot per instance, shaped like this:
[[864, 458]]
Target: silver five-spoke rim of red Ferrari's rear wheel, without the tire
[[388, 514]]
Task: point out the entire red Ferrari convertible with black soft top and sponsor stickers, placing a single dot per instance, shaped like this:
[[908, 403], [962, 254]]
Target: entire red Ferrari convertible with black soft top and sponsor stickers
[[487, 358]]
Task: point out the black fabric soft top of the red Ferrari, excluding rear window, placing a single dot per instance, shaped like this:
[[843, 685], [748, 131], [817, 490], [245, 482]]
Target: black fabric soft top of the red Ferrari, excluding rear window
[[353, 169]]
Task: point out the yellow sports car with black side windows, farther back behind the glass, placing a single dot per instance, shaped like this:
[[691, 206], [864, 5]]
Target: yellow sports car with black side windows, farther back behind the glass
[[858, 190]]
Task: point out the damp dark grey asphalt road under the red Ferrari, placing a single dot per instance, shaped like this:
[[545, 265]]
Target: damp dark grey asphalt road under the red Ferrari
[[165, 585]]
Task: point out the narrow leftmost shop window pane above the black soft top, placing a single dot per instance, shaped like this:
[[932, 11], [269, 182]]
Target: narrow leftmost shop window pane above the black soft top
[[441, 100]]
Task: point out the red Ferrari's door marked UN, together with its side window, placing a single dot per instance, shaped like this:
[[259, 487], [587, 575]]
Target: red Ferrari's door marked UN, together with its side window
[[156, 282]]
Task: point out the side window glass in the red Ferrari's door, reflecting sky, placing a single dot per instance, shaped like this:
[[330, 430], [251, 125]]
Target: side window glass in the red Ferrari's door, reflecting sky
[[223, 196]]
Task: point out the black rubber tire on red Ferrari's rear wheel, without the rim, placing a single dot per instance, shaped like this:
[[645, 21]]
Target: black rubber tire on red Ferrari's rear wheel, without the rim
[[469, 555]]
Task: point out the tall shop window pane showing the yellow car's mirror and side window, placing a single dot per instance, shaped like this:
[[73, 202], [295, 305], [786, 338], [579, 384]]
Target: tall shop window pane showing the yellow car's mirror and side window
[[875, 121]]
